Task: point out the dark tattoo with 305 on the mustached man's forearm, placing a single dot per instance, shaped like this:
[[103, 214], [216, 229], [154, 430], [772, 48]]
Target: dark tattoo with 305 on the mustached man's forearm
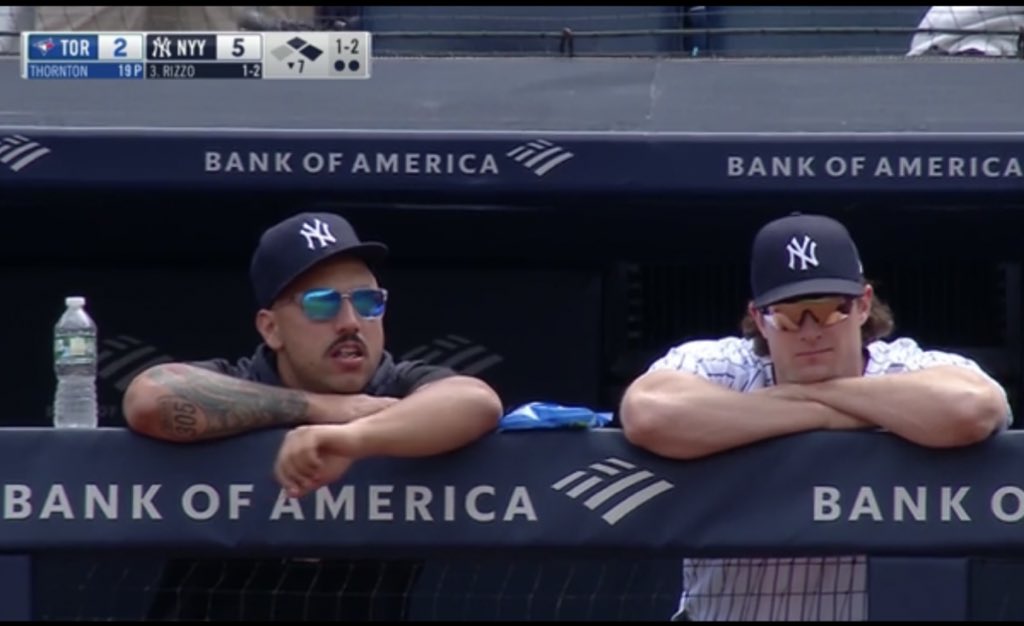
[[201, 405]]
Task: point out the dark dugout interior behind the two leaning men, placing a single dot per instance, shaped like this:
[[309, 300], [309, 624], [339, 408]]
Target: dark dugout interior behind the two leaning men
[[576, 296]]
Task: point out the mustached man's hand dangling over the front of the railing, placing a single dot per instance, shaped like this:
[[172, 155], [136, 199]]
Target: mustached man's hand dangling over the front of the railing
[[312, 457]]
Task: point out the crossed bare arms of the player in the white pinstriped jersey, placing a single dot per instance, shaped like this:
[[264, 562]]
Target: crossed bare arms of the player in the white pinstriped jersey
[[681, 415]]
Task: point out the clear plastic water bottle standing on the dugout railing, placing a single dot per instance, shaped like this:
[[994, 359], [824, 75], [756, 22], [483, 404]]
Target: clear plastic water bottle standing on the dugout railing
[[75, 403]]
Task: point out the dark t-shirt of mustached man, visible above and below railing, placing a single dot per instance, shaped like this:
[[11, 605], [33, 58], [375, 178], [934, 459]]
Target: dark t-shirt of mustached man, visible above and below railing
[[280, 590]]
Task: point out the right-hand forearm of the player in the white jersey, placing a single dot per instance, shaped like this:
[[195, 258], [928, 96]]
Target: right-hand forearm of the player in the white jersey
[[937, 407]]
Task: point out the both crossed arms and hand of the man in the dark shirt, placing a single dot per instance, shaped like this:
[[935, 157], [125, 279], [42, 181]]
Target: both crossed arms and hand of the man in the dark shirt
[[184, 403]]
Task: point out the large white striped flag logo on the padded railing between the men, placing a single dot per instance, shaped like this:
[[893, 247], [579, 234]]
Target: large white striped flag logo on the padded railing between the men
[[613, 487]]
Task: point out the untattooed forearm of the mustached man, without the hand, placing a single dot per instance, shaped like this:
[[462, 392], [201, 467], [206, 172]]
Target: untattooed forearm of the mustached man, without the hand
[[442, 418]]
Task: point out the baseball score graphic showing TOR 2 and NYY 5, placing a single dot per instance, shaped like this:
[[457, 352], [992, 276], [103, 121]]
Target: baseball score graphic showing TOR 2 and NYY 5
[[245, 56]]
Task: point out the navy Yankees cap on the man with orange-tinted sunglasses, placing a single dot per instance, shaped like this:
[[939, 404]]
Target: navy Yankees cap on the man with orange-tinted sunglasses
[[803, 256]]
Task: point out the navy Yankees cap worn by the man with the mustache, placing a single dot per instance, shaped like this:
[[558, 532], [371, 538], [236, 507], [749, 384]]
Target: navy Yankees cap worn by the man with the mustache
[[291, 247]]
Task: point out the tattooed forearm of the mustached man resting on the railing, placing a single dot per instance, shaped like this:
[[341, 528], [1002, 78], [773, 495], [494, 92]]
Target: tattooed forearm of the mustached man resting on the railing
[[183, 403]]
